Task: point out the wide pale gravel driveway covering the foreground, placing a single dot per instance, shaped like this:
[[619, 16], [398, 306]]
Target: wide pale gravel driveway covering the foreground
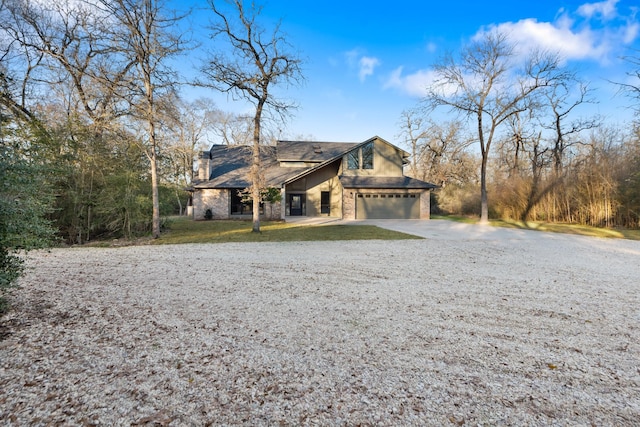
[[470, 326]]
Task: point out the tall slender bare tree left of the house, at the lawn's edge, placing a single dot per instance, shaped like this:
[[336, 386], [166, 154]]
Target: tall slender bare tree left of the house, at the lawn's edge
[[149, 37]]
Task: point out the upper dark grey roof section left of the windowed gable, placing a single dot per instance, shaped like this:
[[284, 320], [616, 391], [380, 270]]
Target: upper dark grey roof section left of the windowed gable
[[312, 151]]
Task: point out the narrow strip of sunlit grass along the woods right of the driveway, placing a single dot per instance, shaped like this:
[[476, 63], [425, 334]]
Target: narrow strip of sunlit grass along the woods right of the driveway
[[582, 230]]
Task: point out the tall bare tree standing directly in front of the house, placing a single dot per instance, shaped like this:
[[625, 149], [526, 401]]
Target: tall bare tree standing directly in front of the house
[[258, 60]]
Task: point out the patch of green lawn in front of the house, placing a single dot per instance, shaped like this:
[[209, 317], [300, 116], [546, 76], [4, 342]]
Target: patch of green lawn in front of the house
[[185, 230]]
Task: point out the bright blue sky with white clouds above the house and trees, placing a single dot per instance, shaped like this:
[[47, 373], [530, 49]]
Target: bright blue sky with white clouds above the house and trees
[[366, 62]]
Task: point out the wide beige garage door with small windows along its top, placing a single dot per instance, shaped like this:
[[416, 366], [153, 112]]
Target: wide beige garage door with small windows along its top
[[387, 206]]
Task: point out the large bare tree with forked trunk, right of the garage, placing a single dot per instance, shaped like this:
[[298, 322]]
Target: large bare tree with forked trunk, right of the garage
[[484, 84]]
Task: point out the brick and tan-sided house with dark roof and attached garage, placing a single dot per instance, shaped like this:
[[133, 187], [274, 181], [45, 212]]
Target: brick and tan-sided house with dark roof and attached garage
[[343, 180]]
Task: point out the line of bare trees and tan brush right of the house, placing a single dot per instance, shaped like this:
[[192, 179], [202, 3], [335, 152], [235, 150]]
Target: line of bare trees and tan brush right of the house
[[519, 138]]
